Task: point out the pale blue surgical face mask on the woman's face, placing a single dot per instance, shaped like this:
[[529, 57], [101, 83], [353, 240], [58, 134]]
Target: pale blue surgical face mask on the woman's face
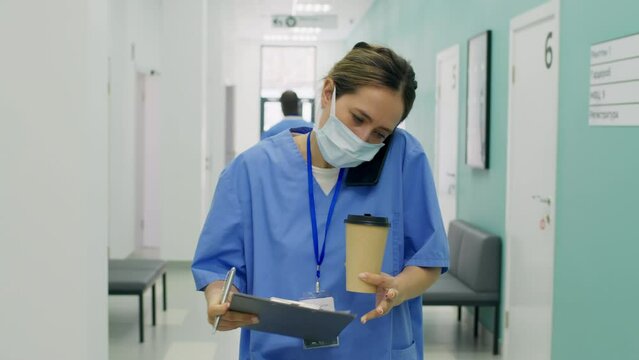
[[339, 146]]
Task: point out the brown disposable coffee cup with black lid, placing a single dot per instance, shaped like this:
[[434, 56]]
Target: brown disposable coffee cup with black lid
[[365, 243]]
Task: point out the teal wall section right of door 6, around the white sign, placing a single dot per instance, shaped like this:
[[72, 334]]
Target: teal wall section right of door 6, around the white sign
[[596, 265]]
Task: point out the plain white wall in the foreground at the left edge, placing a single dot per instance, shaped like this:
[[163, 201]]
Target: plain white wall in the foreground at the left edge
[[53, 193]]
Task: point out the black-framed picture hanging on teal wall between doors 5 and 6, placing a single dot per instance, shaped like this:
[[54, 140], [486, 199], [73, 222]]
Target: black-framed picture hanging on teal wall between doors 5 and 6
[[478, 101]]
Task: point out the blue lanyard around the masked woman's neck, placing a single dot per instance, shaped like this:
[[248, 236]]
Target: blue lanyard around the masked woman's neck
[[319, 256]]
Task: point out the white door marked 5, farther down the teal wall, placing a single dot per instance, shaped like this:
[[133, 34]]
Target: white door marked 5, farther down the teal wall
[[447, 124]]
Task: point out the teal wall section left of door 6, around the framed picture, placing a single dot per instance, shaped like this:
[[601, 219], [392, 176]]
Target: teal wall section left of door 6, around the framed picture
[[418, 30]]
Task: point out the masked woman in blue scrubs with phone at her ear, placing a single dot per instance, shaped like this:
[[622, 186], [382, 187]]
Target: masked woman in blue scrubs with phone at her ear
[[270, 199]]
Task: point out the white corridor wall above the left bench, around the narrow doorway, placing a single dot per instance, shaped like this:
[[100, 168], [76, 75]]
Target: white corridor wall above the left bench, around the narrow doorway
[[174, 38]]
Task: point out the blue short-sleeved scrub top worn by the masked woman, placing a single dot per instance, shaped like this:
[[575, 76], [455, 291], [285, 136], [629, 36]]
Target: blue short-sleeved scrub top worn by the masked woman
[[259, 222]]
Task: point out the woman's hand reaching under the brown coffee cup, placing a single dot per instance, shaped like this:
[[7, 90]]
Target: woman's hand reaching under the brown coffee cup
[[387, 296]]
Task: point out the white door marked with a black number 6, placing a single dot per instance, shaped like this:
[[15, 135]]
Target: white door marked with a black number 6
[[531, 173]]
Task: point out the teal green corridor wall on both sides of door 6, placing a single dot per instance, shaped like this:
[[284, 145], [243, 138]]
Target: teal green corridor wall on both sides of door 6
[[596, 291]]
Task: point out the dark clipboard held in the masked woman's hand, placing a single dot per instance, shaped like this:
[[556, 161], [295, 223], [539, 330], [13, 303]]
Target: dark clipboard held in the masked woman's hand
[[291, 319]]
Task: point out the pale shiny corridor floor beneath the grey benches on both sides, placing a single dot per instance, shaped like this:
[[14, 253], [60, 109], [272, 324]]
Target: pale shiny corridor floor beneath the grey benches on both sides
[[183, 333]]
